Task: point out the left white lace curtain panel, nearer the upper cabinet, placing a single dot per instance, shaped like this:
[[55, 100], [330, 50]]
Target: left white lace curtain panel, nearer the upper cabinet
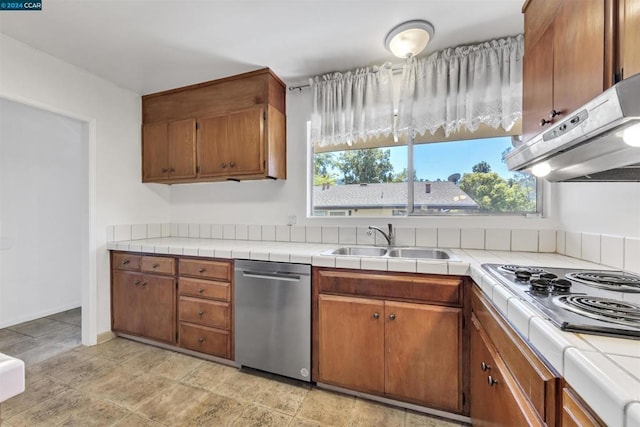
[[352, 106]]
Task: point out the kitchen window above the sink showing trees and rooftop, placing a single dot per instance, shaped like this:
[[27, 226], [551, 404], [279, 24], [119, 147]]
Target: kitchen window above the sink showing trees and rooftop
[[466, 177]]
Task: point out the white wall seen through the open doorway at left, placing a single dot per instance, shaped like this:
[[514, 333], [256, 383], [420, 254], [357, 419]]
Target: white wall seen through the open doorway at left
[[43, 195]]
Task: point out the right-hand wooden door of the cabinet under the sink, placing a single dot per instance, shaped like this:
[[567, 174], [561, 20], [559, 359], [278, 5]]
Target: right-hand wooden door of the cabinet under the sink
[[423, 356]]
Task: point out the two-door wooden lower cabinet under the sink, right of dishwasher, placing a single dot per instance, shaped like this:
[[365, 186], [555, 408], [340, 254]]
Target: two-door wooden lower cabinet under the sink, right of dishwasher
[[402, 350]]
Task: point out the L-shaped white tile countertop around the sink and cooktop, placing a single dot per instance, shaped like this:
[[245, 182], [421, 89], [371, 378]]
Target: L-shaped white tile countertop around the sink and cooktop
[[604, 371]]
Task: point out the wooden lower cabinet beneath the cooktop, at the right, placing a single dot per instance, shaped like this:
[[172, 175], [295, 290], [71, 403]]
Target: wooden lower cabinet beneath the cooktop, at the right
[[510, 384]]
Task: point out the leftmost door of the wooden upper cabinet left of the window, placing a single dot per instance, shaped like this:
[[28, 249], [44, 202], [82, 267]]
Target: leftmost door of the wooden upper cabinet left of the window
[[155, 154]]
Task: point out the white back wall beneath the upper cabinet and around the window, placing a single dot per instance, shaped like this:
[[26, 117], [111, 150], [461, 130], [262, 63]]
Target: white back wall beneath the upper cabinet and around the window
[[269, 202]]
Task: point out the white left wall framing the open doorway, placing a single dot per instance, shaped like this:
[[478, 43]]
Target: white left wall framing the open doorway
[[116, 194]]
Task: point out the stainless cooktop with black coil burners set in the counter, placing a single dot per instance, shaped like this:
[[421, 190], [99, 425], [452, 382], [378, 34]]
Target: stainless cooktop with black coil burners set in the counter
[[599, 302]]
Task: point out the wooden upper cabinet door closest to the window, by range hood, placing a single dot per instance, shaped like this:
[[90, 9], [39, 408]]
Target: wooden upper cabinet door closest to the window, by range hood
[[537, 85]]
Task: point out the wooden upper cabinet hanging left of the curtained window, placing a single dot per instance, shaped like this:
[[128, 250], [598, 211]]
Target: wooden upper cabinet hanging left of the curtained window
[[232, 128]]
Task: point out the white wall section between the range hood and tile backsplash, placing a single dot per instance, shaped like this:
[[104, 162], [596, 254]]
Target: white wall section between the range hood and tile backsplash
[[601, 208]]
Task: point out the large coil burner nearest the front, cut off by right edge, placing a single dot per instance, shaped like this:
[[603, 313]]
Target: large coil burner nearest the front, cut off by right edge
[[608, 310]]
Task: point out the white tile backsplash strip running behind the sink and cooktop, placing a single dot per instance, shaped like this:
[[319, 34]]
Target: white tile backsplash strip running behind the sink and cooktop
[[614, 251]]
